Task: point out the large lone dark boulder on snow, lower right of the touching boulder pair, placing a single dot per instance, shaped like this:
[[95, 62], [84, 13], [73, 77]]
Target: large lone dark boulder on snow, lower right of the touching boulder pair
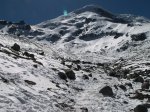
[[107, 91]]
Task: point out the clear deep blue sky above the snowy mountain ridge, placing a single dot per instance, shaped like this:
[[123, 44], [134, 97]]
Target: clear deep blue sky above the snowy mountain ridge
[[36, 11]]
